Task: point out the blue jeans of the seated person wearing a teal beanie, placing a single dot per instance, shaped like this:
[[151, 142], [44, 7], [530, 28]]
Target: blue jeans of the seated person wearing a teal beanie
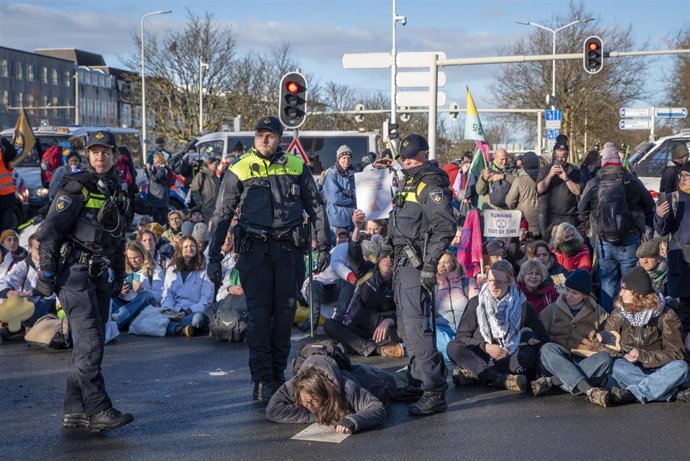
[[571, 369]]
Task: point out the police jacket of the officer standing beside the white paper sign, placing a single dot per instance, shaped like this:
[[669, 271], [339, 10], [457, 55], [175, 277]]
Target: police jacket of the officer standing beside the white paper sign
[[423, 207]]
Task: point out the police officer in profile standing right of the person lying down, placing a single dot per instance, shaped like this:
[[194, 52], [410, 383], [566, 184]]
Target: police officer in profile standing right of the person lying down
[[421, 228]]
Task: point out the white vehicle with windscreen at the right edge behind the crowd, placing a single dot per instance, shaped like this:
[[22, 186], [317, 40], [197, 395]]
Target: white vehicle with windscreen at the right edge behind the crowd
[[650, 158]]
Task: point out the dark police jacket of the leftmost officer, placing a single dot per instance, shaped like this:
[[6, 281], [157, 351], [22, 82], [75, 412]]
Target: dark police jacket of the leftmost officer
[[72, 217]]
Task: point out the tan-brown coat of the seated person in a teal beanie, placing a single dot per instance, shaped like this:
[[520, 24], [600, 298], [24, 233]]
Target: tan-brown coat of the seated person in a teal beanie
[[573, 333]]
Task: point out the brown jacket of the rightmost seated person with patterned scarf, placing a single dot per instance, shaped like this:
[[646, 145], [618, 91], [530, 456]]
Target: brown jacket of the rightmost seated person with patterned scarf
[[659, 342]]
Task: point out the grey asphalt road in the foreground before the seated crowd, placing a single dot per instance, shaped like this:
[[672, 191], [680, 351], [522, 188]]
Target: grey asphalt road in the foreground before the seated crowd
[[191, 400]]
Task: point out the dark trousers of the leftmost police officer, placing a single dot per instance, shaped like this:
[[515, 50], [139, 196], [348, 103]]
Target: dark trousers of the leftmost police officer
[[86, 301]]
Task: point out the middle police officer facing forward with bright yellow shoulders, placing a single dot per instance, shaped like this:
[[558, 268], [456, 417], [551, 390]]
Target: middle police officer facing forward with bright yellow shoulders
[[269, 189]]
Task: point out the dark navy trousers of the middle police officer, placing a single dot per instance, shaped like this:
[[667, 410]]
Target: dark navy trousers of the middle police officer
[[271, 274]]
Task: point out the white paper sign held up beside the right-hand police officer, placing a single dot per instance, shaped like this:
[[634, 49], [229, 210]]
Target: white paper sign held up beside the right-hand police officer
[[373, 193]]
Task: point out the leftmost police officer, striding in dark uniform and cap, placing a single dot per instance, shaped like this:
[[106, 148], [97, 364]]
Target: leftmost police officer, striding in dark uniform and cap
[[81, 237]]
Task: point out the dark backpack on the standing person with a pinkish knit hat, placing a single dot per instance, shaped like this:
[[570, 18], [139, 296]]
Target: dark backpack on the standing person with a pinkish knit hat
[[613, 219]]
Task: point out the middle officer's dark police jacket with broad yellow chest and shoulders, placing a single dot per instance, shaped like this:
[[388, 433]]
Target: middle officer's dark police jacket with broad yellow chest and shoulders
[[270, 196]]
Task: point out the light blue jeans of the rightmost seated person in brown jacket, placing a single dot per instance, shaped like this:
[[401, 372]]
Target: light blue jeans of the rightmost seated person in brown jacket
[[658, 384]]
